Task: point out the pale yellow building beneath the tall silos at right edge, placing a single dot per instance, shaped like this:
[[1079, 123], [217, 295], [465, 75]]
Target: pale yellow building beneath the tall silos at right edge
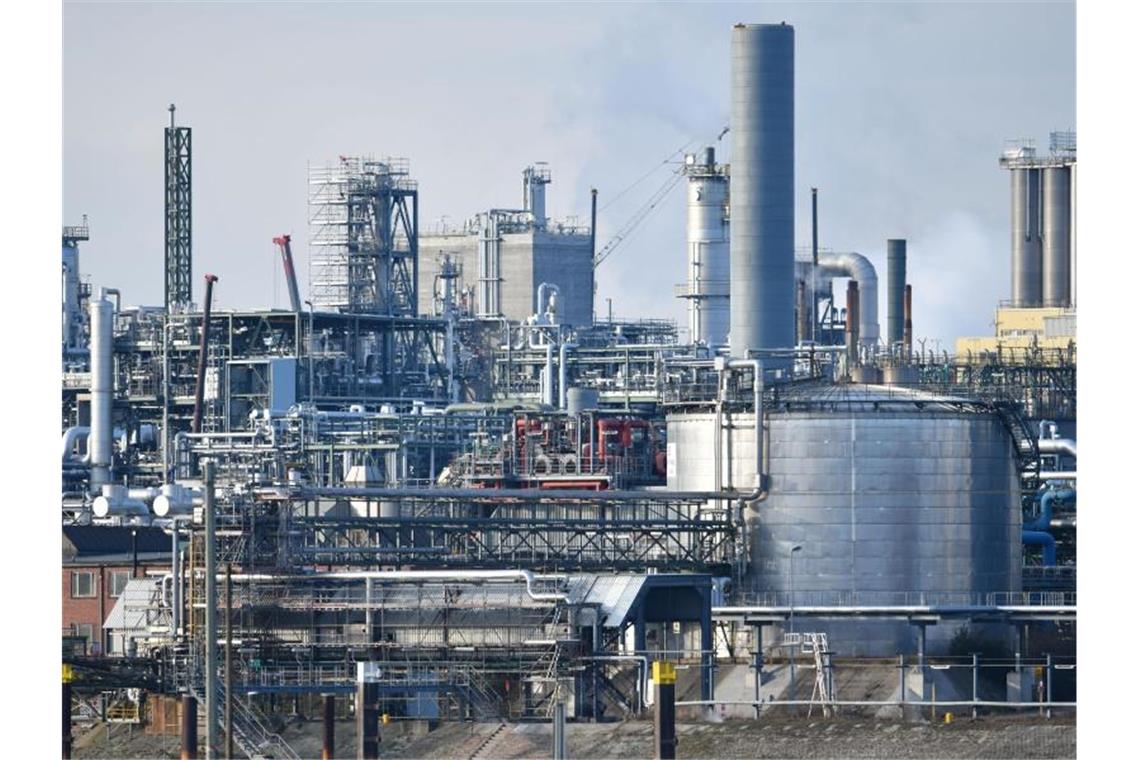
[[1045, 334]]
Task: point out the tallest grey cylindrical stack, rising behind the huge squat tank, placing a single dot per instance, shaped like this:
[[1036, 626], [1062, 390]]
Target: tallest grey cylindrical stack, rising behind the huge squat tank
[[762, 296]]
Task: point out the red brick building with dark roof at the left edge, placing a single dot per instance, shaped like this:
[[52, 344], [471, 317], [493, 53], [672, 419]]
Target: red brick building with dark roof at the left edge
[[97, 563]]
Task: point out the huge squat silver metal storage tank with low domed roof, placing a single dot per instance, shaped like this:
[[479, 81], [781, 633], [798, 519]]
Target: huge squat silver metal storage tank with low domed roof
[[895, 496]]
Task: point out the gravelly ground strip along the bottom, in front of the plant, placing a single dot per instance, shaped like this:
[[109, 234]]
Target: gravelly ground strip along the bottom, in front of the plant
[[1005, 738]]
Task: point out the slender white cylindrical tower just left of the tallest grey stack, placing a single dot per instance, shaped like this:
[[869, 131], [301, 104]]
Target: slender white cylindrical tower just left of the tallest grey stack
[[707, 233]]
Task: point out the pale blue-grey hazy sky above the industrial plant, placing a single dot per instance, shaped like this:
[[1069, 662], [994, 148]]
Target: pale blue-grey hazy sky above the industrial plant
[[902, 111]]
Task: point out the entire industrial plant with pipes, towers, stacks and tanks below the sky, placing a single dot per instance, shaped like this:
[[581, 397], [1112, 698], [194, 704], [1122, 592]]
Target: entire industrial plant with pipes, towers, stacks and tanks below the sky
[[445, 487]]
